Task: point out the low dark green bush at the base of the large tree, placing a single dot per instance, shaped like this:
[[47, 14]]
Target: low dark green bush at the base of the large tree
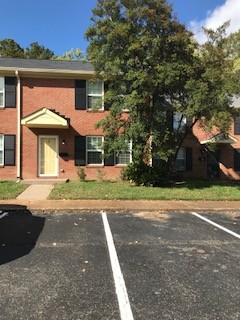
[[142, 174]]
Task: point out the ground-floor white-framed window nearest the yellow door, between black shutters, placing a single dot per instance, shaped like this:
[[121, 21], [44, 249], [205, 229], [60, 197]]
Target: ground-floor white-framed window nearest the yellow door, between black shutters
[[94, 150]]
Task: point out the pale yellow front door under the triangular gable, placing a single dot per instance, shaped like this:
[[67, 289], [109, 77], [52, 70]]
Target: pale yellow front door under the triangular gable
[[48, 156]]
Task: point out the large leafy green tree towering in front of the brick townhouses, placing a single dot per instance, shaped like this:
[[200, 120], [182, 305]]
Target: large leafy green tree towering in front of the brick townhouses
[[153, 68]]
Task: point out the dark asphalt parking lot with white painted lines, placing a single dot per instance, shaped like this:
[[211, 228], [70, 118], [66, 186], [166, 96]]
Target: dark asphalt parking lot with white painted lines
[[160, 265]]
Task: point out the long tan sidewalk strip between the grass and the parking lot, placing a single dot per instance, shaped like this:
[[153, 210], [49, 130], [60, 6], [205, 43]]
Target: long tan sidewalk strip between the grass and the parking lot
[[118, 205]]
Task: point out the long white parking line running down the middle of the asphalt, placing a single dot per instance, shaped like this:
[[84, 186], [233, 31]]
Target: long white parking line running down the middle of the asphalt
[[121, 291]]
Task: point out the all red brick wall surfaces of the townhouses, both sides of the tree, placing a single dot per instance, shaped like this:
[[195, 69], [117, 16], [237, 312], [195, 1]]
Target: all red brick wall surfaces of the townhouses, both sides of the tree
[[59, 94]]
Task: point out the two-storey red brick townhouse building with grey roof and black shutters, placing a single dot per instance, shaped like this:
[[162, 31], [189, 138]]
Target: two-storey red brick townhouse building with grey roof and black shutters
[[47, 127]]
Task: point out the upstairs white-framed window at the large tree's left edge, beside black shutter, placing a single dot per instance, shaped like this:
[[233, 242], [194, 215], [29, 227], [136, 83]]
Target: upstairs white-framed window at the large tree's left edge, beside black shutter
[[95, 95]]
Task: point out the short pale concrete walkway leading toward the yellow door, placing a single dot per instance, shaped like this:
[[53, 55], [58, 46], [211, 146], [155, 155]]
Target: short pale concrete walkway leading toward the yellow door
[[36, 192]]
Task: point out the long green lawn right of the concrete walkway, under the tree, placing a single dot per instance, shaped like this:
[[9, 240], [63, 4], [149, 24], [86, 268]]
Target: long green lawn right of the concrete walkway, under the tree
[[186, 190]]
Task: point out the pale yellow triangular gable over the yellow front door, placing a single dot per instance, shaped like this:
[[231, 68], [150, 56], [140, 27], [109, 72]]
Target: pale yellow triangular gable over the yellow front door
[[45, 118]]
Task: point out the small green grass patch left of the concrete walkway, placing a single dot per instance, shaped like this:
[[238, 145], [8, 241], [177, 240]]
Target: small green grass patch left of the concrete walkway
[[10, 189]]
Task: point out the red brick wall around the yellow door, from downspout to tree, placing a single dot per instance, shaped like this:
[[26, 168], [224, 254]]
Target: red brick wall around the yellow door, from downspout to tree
[[58, 95]]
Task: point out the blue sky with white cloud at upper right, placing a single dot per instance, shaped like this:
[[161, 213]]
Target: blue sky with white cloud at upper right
[[60, 25]]
